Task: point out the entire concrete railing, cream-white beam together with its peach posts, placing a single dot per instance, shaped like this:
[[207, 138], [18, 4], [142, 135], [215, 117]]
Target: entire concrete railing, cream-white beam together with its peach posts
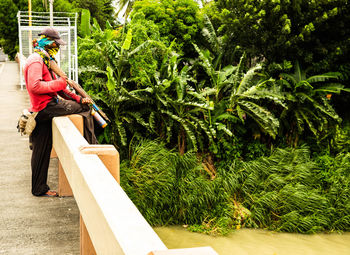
[[110, 220]]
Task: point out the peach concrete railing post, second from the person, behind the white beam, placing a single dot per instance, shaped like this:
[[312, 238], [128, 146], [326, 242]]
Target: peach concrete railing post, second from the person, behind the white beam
[[110, 158]]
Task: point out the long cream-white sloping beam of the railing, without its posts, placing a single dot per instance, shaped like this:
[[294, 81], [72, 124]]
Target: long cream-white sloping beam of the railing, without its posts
[[114, 224]]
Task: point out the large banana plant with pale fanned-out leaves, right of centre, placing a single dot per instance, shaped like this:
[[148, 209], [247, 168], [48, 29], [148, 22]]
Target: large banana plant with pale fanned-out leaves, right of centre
[[243, 91]]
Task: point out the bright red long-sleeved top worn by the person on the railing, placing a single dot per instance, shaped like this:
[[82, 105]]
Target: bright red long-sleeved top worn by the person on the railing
[[41, 87]]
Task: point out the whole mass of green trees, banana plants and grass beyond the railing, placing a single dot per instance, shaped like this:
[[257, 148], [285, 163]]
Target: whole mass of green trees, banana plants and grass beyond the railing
[[228, 118]]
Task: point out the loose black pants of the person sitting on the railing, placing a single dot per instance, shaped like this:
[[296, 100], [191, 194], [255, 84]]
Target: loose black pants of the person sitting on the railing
[[41, 138]]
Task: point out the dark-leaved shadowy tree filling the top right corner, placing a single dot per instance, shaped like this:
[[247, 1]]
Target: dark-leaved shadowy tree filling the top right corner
[[313, 32]]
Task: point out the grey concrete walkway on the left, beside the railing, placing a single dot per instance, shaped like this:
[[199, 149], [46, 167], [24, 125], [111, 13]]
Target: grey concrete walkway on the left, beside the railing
[[28, 225]]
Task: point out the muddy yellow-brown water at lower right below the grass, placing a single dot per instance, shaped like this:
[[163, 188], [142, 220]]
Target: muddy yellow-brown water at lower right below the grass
[[258, 242]]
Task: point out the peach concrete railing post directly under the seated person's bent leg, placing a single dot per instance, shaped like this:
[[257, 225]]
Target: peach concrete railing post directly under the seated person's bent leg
[[64, 189]]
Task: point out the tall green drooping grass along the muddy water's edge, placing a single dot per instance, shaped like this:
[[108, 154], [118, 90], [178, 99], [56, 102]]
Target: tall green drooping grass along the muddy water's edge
[[283, 192]]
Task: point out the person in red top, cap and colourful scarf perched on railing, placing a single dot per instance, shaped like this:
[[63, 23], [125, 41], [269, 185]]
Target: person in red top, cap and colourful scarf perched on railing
[[50, 98]]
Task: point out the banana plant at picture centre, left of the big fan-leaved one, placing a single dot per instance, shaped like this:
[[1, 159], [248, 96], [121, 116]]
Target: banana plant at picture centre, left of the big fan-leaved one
[[181, 108]]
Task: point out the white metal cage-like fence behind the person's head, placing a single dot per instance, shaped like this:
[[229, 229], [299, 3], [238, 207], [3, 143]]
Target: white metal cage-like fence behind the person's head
[[29, 26]]
